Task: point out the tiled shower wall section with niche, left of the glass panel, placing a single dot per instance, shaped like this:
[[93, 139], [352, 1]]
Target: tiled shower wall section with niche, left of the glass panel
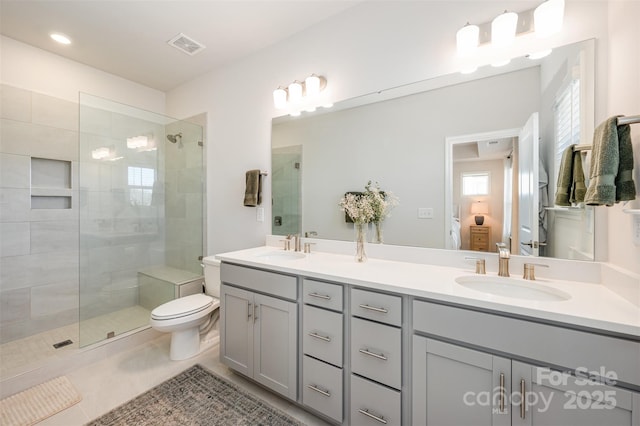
[[38, 247]]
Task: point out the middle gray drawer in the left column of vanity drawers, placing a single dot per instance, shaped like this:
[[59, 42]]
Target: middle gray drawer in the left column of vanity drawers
[[322, 334]]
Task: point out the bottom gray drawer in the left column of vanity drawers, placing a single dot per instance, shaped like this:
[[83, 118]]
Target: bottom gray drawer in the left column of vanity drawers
[[322, 387]]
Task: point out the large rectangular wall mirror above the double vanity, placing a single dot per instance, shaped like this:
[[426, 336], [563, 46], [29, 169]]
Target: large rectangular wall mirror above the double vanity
[[422, 142]]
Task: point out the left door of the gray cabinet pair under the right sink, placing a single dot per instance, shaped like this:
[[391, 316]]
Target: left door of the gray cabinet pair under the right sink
[[457, 386]]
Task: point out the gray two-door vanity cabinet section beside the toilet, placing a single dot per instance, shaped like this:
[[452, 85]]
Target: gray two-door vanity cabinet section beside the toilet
[[259, 331]]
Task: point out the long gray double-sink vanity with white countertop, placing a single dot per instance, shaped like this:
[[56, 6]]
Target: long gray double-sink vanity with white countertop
[[390, 342]]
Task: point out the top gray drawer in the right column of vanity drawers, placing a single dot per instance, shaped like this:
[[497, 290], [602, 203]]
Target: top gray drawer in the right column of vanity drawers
[[377, 306]]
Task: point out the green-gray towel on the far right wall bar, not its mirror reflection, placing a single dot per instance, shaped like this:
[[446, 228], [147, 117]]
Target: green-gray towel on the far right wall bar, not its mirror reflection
[[611, 144]]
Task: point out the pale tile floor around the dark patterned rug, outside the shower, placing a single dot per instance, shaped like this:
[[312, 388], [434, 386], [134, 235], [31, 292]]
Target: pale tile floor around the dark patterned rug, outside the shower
[[110, 382]]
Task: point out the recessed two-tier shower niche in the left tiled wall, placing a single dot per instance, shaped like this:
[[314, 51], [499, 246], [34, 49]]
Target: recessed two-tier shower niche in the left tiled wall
[[50, 184]]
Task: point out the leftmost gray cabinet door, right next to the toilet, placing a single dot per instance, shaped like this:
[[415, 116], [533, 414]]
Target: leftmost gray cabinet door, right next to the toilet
[[236, 329]]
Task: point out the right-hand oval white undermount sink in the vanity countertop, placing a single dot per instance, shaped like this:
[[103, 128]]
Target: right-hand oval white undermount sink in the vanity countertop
[[509, 287]]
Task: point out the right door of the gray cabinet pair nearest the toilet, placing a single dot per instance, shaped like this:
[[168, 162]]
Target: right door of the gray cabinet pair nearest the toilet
[[275, 344]]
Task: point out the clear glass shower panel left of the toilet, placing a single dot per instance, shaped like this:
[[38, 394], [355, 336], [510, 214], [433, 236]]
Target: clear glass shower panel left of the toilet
[[141, 214]]
